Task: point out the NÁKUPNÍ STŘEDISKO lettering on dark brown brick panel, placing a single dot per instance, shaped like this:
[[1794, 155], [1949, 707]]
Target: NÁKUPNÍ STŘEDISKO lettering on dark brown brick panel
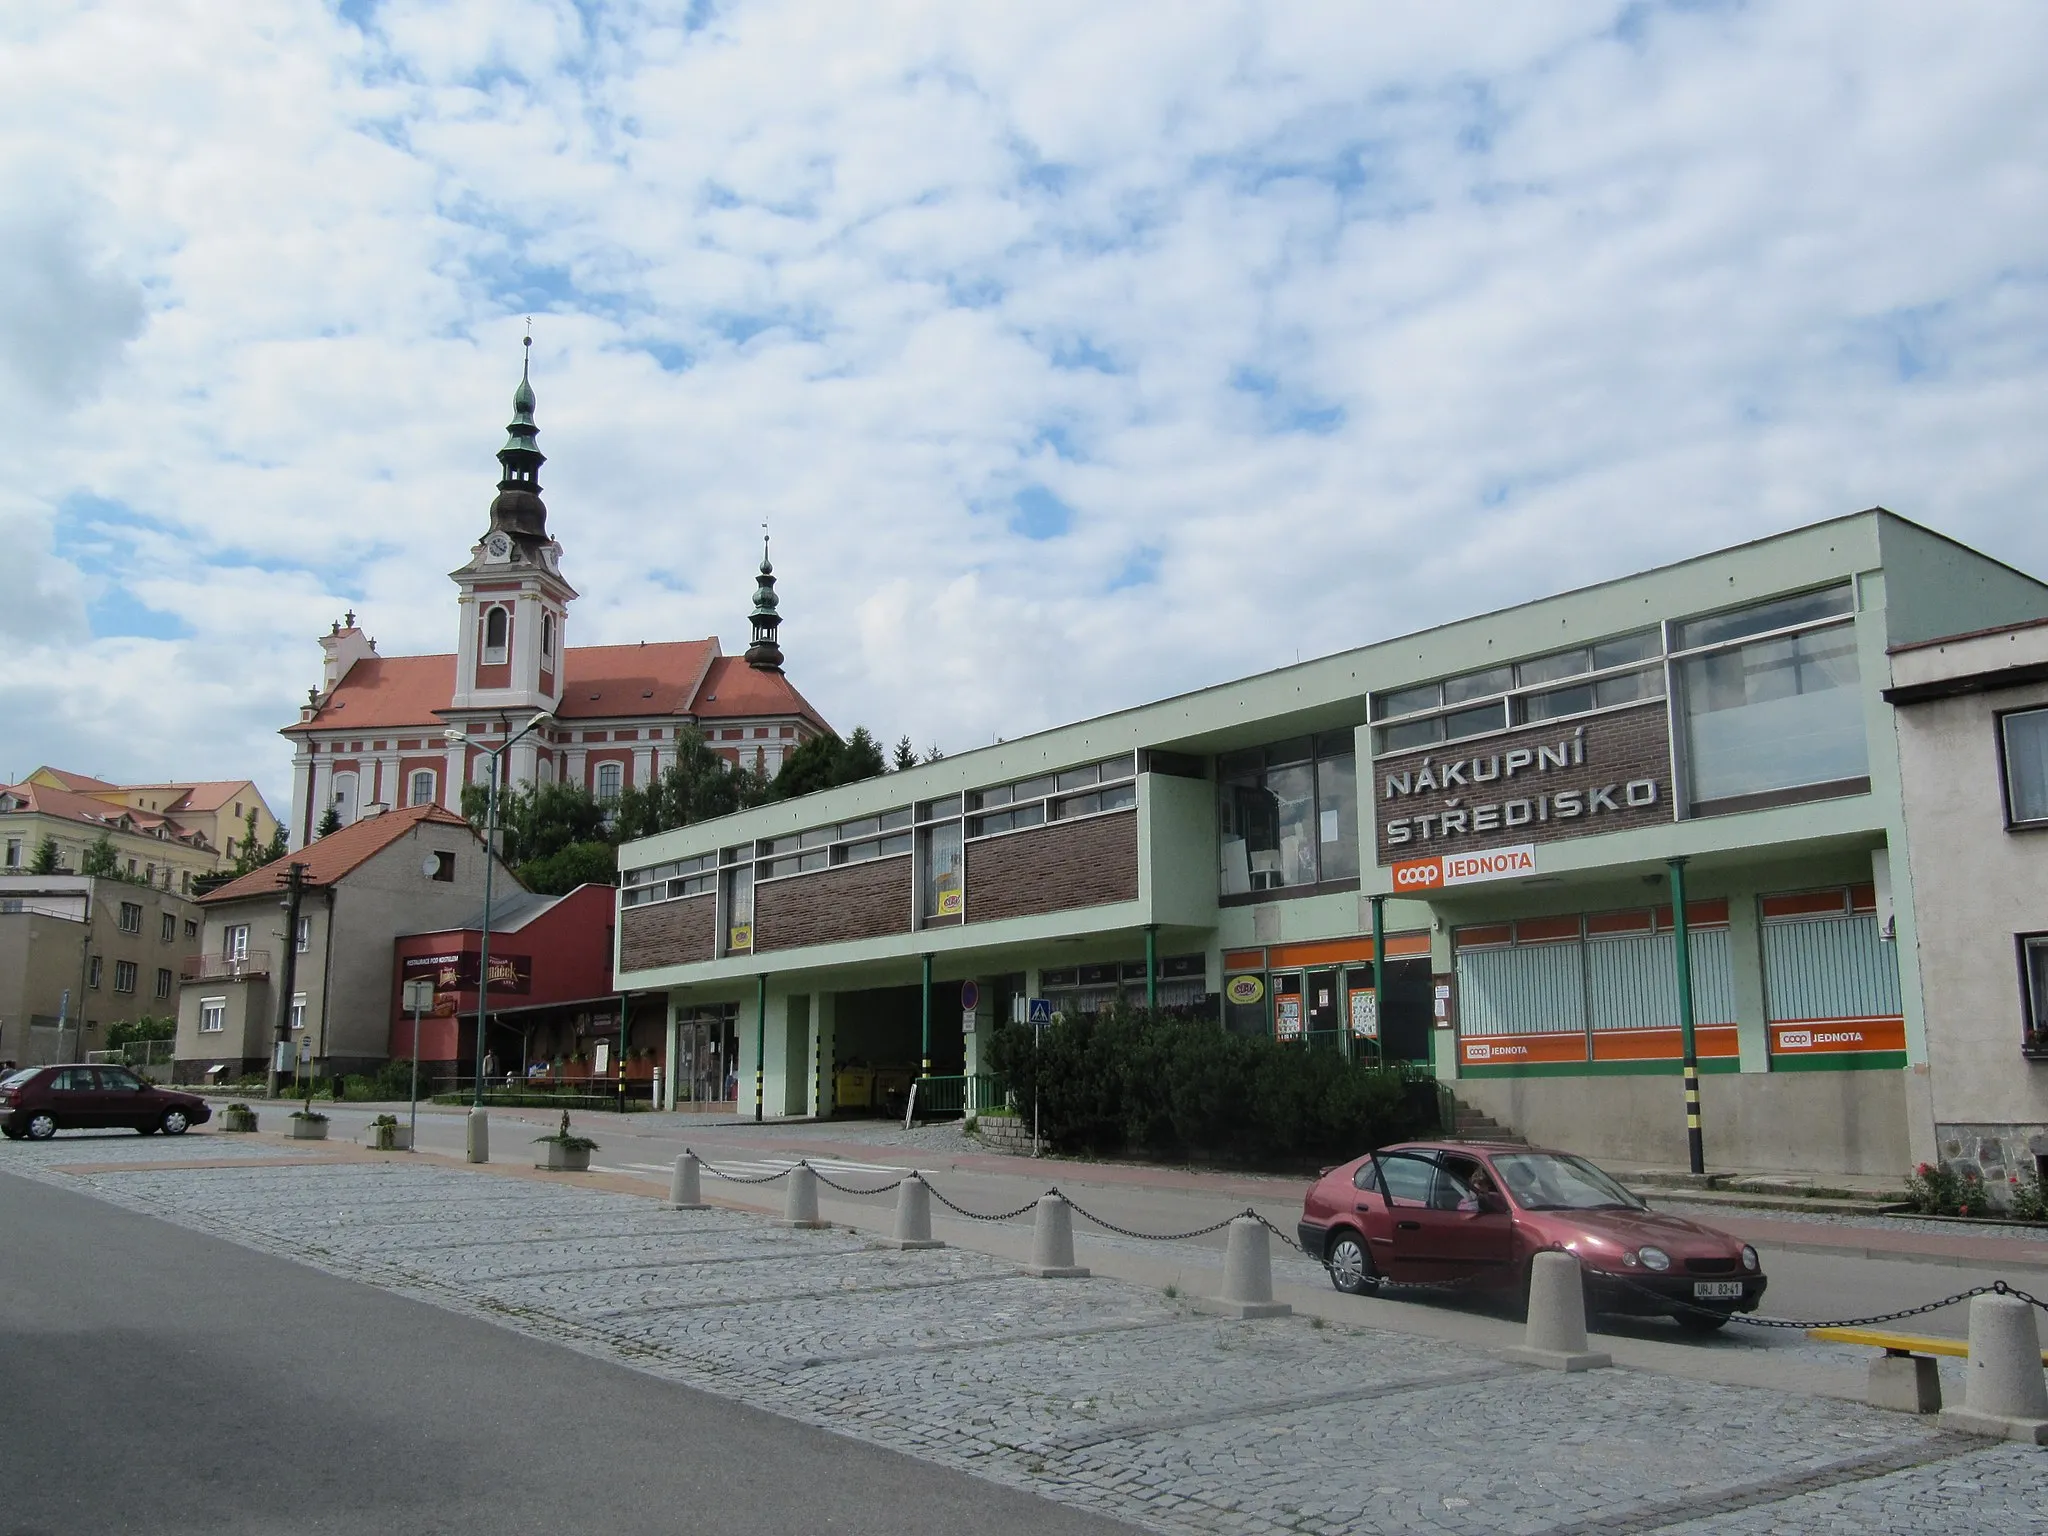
[[1527, 787]]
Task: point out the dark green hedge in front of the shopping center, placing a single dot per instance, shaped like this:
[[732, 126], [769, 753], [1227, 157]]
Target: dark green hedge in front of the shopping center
[[1129, 1080]]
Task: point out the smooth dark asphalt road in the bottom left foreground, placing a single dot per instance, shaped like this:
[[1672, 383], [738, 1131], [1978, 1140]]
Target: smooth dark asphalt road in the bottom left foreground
[[161, 1381]]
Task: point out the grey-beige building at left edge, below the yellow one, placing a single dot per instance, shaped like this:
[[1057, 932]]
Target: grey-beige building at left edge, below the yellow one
[[81, 953]]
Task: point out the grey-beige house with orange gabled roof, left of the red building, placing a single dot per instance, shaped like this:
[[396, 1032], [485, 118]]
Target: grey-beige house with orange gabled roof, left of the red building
[[361, 888]]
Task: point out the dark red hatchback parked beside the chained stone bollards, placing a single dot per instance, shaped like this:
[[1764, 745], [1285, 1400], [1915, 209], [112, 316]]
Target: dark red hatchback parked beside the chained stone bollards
[[1478, 1213]]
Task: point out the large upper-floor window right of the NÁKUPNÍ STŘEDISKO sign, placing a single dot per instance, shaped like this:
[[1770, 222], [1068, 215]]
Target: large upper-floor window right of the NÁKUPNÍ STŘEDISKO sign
[[1779, 716]]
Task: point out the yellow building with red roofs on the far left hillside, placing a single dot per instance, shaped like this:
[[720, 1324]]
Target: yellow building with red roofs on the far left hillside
[[163, 835]]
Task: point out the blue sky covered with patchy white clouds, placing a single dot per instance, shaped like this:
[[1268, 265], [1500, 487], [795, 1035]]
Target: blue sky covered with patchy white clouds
[[1074, 353]]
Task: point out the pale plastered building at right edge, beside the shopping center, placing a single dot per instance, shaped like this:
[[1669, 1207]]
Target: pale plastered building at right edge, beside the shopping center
[[1971, 714]]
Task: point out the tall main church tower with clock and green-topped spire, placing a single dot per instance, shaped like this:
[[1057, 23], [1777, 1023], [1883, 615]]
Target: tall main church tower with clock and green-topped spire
[[513, 628]]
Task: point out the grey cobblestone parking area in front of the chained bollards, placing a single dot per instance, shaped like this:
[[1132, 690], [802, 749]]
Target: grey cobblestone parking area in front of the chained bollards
[[1089, 1392]]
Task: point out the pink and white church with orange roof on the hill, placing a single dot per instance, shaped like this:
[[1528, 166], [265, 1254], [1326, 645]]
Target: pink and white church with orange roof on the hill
[[376, 734]]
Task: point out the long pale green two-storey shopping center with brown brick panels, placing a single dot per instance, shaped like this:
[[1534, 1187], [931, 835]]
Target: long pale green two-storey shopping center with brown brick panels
[[1457, 847]]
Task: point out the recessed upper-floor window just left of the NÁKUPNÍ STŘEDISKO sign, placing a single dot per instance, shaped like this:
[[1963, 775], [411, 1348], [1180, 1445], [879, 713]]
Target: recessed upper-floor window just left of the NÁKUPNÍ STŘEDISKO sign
[[1289, 814]]
